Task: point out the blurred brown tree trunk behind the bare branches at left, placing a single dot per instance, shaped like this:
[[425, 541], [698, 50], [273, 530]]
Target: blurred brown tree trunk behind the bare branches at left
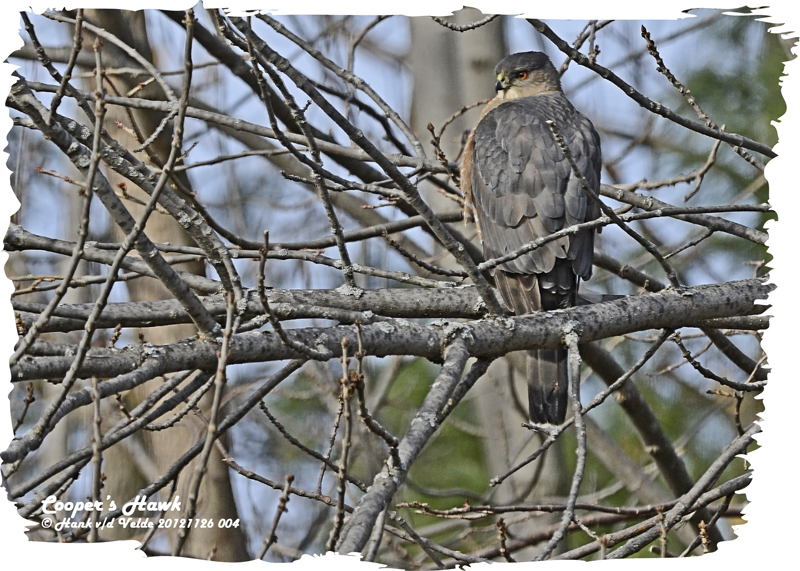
[[216, 496]]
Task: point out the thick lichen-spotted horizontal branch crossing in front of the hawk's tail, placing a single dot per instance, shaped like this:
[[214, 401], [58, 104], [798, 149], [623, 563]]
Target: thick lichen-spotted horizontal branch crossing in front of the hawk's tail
[[670, 309]]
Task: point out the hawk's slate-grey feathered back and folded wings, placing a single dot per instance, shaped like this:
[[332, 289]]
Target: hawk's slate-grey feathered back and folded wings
[[524, 187]]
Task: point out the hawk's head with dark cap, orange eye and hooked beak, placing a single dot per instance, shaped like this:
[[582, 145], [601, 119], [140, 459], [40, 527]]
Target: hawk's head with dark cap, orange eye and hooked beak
[[524, 74]]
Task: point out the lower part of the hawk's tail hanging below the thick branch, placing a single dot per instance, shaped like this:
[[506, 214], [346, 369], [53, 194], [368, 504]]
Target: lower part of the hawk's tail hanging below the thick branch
[[548, 385]]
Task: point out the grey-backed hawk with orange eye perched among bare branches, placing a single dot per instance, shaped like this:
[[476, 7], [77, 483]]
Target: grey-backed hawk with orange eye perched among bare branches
[[523, 188]]
